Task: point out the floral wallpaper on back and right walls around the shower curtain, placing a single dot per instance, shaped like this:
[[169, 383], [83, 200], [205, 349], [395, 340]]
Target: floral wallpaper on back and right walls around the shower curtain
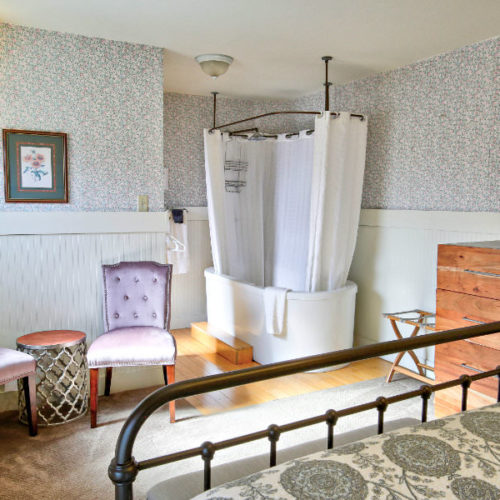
[[431, 135]]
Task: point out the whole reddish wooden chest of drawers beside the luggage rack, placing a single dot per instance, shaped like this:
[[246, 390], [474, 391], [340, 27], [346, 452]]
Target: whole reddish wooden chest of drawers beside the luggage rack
[[468, 293]]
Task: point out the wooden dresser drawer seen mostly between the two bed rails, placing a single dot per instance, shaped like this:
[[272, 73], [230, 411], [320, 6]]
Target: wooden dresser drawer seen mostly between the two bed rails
[[466, 358]]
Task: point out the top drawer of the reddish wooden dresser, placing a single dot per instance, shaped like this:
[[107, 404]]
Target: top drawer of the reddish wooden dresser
[[475, 271]]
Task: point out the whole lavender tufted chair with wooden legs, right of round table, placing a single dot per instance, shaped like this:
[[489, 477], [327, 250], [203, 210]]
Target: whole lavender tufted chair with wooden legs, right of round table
[[137, 320]]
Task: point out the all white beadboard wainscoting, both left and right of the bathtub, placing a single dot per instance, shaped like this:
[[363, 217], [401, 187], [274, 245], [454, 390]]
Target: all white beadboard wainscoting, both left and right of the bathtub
[[51, 278]]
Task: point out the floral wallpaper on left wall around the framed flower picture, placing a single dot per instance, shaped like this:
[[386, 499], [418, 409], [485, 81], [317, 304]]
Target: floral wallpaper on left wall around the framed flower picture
[[107, 96]]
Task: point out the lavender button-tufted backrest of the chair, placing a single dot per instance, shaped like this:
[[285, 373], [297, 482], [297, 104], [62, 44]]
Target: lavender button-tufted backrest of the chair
[[137, 294]]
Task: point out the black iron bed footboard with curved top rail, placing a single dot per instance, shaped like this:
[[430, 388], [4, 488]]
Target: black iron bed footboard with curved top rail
[[123, 468]]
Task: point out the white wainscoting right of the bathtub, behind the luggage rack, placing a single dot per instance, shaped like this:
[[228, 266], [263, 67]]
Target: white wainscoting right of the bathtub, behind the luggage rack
[[395, 265]]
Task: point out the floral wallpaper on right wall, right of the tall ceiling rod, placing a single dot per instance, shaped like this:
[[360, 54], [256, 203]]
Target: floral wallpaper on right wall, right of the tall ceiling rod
[[432, 132]]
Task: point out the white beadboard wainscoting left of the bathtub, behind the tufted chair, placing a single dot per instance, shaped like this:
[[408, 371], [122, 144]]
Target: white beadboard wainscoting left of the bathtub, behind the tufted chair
[[50, 265]]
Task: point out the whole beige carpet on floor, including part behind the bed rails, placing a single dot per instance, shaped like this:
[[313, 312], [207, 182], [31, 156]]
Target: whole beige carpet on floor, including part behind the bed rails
[[70, 461]]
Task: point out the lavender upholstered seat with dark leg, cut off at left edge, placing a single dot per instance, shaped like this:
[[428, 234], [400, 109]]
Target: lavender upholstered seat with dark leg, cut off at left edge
[[16, 365]]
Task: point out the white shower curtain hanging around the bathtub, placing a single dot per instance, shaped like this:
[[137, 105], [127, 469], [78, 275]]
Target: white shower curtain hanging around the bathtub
[[284, 212]]
